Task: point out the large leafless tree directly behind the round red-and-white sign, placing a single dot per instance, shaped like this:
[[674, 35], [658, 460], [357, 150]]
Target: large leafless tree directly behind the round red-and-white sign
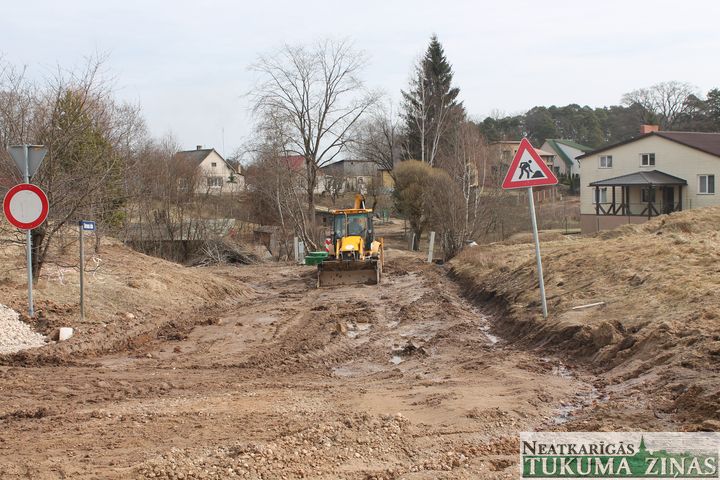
[[87, 135]]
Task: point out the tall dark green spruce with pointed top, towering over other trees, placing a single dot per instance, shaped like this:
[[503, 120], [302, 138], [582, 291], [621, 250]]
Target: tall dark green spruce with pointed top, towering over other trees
[[430, 105]]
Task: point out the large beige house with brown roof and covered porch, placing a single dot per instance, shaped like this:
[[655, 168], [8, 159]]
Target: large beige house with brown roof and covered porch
[[649, 175]]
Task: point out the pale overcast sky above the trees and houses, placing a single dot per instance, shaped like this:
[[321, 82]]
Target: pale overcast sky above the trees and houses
[[186, 62]]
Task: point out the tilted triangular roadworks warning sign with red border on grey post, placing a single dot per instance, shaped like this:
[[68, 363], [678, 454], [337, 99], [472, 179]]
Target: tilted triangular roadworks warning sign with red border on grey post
[[528, 170]]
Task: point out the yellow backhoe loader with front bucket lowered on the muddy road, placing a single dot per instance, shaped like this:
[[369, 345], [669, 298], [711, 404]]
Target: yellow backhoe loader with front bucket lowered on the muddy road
[[354, 256]]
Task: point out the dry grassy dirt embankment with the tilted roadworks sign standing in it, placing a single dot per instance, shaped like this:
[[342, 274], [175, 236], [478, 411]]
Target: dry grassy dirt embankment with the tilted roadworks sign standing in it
[[659, 330]]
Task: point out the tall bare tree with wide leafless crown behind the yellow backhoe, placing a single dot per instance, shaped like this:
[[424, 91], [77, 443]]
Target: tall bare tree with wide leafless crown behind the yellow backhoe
[[316, 94]]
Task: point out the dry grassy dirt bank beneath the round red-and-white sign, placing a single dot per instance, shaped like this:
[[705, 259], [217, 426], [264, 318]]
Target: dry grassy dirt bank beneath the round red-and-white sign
[[131, 299]]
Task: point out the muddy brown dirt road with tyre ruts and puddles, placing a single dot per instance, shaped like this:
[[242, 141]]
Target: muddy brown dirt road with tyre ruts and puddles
[[402, 380]]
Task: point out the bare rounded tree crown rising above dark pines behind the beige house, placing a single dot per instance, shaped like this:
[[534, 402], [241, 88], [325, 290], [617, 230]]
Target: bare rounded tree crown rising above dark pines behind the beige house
[[664, 102]]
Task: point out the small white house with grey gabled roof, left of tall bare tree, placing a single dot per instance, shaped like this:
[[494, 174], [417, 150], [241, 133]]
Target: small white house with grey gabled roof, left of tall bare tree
[[218, 175]]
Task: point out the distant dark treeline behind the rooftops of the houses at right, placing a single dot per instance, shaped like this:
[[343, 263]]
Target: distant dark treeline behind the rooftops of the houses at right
[[671, 105]]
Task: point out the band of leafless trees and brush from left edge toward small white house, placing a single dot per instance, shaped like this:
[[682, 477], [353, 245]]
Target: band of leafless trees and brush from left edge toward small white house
[[101, 164]]
